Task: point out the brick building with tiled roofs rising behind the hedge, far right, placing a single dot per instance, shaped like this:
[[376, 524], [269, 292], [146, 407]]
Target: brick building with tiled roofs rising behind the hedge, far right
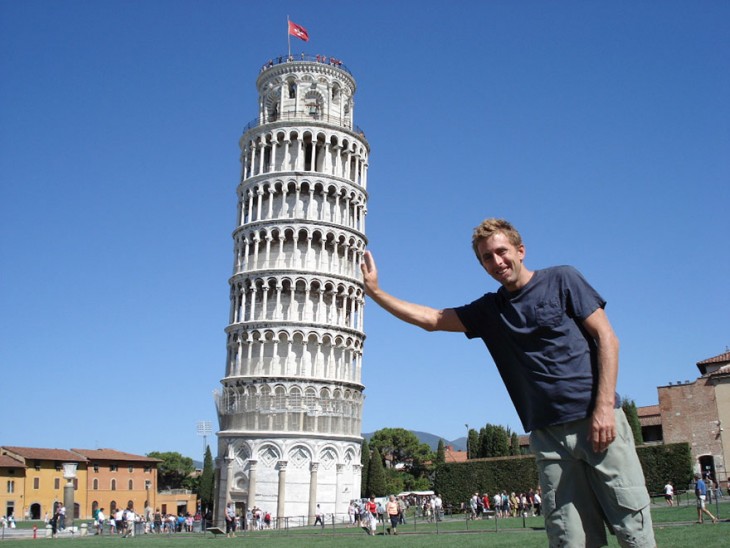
[[695, 412]]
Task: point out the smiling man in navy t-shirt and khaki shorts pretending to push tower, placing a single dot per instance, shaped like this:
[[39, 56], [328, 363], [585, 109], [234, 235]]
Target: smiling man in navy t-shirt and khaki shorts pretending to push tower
[[556, 351]]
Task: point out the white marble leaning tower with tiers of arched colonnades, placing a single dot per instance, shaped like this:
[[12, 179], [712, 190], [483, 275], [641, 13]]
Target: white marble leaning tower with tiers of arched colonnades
[[290, 404]]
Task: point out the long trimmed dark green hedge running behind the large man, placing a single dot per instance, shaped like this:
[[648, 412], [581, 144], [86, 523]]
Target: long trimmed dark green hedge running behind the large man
[[457, 482]]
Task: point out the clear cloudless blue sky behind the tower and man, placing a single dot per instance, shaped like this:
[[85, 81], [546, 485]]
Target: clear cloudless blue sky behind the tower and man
[[600, 129]]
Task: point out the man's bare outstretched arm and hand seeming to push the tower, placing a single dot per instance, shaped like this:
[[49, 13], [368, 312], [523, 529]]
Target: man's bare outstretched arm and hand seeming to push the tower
[[425, 317]]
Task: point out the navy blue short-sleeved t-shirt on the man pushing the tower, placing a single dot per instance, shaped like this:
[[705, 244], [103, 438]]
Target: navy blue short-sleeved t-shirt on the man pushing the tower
[[545, 357]]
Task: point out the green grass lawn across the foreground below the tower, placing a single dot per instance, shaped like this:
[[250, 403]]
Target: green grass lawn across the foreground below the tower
[[674, 527]]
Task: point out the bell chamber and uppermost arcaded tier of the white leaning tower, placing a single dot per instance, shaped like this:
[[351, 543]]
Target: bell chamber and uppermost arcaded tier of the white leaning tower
[[305, 122]]
